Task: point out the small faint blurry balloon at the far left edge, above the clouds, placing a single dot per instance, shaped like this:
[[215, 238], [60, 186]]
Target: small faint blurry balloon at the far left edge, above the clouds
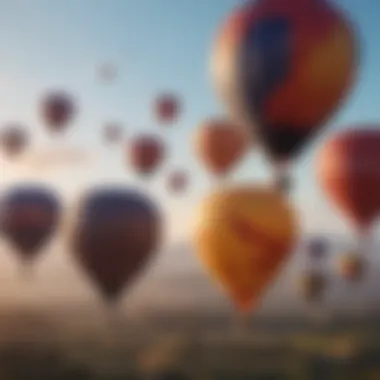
[[13, 139]]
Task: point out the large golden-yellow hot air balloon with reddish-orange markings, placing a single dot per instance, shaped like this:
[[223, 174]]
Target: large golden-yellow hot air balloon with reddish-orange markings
[[243, 236]]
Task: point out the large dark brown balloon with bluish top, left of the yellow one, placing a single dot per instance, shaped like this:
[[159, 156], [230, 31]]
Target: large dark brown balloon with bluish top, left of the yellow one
[[115, 233]]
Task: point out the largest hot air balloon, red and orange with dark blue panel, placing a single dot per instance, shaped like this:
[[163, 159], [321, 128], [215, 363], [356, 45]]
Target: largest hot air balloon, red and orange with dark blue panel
[[282, 68]]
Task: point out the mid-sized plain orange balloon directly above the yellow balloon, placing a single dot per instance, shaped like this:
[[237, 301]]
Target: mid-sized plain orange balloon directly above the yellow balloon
[[220, 145]]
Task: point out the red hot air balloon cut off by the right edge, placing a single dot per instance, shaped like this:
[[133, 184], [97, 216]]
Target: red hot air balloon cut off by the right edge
[[348, 171]]
